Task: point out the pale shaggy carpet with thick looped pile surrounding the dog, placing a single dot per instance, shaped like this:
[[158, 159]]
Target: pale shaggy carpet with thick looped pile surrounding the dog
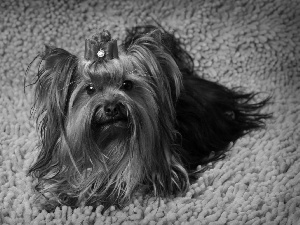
[[250, 43]]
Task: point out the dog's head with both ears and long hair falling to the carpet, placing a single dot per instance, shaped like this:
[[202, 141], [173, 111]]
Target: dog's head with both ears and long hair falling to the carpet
[[107, 127]]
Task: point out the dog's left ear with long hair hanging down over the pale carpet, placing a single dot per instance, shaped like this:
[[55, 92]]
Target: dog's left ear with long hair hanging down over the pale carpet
[[56, 78]]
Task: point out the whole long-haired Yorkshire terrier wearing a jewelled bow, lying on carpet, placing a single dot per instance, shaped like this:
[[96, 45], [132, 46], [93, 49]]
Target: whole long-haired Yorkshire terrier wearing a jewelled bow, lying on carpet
[[130, 117]]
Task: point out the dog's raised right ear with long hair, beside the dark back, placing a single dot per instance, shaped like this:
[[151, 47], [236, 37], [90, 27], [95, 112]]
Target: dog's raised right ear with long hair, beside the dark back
[[148, 51]]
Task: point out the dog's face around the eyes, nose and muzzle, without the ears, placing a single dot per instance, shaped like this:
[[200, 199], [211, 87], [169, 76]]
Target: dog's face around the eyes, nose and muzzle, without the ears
[[116, 103]]
